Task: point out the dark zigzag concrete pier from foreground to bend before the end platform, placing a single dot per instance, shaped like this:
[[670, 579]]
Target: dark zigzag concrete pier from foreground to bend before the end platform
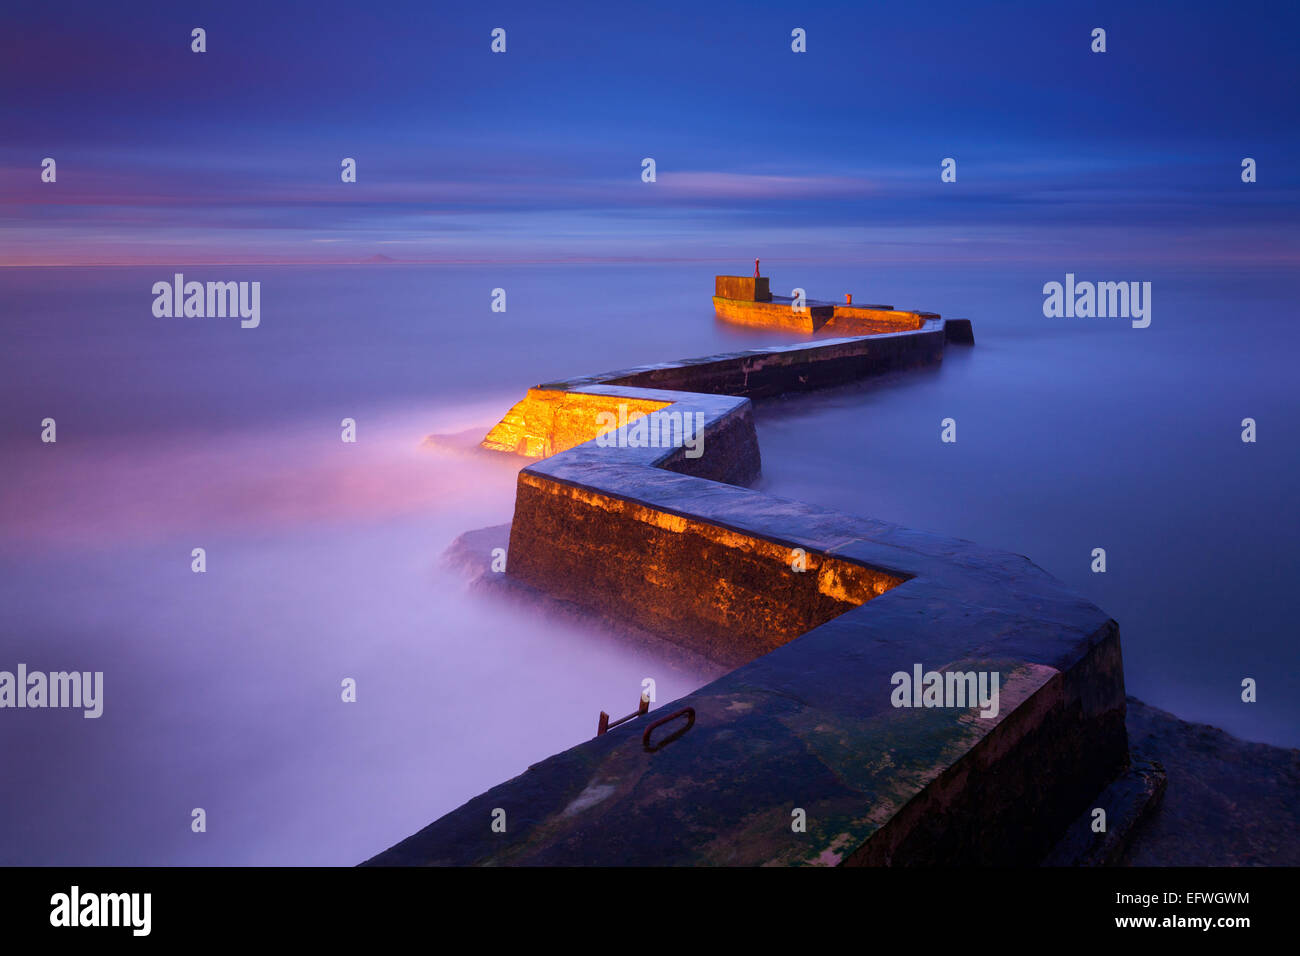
[[807, 723]]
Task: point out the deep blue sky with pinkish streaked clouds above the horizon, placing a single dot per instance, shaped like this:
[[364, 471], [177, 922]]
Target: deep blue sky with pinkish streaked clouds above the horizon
[[168, 157]]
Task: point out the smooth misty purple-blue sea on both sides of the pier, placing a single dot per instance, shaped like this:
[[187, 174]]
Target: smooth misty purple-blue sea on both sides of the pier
[[223, 690]]
